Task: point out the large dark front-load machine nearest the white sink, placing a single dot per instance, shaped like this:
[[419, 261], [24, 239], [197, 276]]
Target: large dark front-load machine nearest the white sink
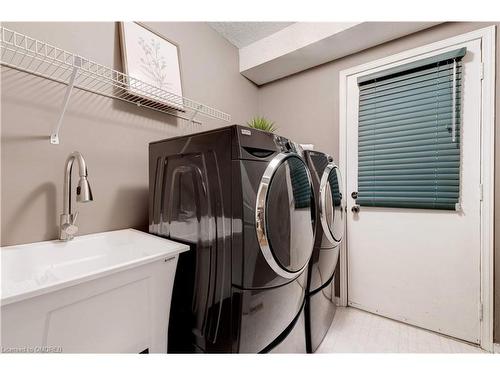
[[242, 200]]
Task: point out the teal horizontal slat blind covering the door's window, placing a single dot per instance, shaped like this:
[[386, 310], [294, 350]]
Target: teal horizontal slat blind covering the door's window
[[409, 134]]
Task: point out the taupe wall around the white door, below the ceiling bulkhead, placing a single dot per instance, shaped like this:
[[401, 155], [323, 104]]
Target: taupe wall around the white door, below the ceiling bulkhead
[[305, 107]]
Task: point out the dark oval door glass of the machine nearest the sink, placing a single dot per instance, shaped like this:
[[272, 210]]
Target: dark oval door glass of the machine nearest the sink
[[289, 223]]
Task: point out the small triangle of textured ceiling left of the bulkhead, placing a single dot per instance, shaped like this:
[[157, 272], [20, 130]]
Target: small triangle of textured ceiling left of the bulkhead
[[241, 34]]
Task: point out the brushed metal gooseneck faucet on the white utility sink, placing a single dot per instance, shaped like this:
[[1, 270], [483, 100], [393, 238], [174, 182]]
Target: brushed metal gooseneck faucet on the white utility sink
[[67, 228]]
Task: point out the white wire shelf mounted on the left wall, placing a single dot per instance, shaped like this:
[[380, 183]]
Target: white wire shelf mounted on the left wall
[[30, 55]]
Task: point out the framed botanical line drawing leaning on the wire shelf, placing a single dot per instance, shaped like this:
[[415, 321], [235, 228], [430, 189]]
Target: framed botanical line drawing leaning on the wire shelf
[[153, 59]]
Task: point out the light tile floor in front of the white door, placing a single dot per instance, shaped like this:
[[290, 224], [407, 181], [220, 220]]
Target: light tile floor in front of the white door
[[356, 331]]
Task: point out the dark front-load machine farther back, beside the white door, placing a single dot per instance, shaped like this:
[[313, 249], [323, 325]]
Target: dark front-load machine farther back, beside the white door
[[329, 230]]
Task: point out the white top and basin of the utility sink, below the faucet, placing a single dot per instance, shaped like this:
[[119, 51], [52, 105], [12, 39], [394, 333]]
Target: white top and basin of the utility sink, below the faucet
[[32, 269]]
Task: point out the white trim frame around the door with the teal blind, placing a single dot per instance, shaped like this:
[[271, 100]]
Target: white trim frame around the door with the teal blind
[[487, 37]]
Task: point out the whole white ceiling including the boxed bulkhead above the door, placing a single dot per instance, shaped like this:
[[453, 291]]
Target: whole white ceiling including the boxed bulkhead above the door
[[272, 50]]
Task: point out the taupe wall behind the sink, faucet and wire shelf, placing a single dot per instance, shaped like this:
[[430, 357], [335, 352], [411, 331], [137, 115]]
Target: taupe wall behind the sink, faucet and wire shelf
[[113, 136]]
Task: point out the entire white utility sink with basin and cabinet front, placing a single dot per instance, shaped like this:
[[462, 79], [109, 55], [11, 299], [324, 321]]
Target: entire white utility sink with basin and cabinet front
[[104, 292]]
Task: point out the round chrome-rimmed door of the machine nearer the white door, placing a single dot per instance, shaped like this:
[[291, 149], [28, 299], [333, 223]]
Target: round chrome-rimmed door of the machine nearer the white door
[[332, 206]]
